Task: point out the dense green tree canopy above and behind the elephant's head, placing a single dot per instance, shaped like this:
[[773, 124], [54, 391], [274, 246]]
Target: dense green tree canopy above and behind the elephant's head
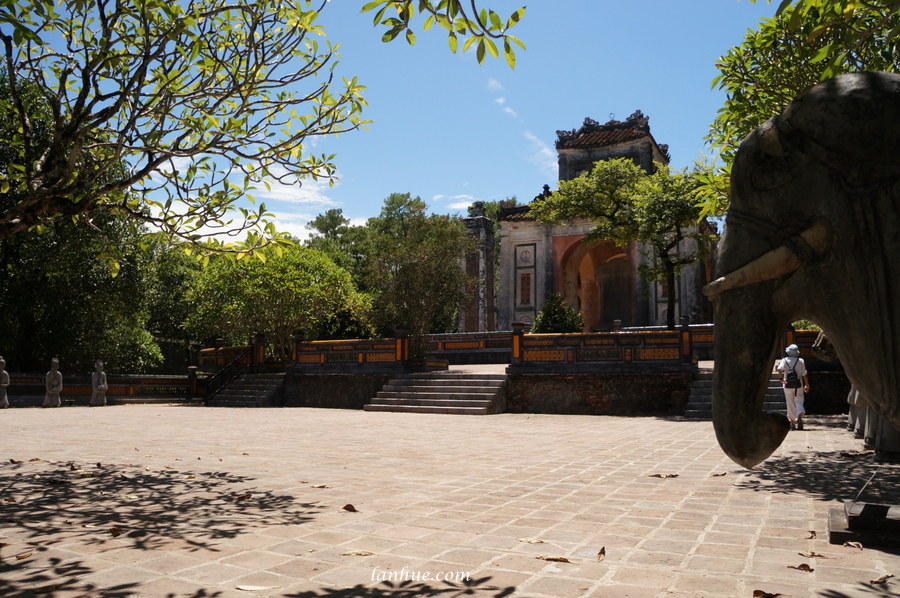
[[807, 41]]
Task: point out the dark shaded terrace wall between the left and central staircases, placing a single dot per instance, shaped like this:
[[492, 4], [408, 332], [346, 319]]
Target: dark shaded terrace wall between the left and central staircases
[[340, 390]]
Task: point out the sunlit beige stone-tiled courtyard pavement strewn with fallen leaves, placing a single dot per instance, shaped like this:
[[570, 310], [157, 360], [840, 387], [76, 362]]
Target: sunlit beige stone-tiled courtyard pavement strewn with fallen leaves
[[310, 503]]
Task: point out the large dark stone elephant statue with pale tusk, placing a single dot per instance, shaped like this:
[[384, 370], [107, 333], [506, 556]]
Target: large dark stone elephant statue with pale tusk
[[812, 232]]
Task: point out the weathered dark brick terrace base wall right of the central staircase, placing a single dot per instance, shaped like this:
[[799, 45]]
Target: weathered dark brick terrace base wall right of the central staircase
[[656, 393]]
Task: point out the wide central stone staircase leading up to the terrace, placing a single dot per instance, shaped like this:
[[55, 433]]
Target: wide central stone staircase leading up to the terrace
[[443, 392]]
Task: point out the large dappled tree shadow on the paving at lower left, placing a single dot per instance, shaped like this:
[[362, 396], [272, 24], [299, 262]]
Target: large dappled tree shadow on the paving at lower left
[[83, 509]]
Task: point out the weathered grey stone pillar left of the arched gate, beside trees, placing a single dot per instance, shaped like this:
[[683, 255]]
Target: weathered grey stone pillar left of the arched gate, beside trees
[[477, 314]]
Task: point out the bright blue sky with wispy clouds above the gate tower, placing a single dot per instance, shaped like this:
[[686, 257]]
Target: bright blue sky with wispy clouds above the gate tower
[[452, 132]]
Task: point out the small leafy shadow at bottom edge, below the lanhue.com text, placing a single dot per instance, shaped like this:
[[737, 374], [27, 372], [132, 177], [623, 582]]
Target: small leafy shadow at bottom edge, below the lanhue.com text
[[413, 589]]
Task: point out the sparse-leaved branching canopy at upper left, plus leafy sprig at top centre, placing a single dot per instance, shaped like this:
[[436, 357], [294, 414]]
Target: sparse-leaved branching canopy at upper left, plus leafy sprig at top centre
[[200, 101]]
